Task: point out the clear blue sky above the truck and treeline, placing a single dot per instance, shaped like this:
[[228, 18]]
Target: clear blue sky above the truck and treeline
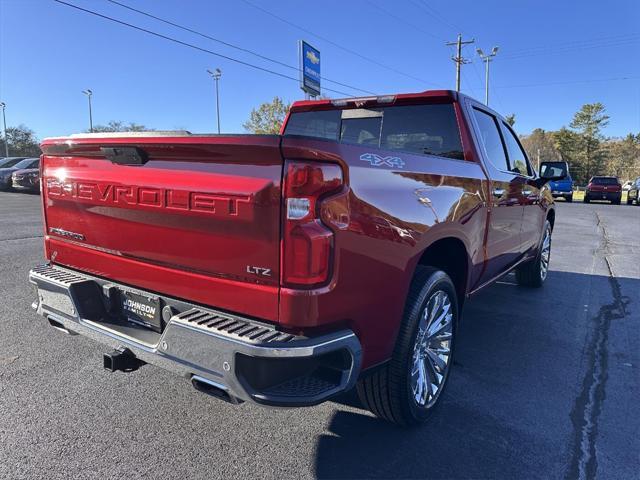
[[554, 56]]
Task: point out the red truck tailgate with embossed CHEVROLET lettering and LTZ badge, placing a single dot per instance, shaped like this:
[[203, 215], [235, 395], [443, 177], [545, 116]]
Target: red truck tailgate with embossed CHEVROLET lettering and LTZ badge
[[195, 216]]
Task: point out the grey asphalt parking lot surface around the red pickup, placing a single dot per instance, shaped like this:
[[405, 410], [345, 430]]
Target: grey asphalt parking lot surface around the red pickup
[[546, 384]]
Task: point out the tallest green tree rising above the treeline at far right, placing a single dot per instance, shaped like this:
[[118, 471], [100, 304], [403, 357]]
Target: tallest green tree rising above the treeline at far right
[[588, 123]]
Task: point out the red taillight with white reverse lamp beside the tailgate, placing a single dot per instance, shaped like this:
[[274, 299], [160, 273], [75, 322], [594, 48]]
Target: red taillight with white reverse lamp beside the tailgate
[[307, 242]]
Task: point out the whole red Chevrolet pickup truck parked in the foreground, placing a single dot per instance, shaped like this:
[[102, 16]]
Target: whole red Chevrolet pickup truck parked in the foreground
[[285, 269]]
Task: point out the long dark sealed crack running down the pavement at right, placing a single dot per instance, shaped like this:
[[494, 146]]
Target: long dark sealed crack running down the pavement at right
[[588, 405]]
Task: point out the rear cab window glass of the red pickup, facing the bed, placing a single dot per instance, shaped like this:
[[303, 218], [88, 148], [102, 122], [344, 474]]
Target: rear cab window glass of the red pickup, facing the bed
[[428, 129]]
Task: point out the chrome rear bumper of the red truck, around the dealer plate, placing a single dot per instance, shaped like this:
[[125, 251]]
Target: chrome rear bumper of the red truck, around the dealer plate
[[237, 358]]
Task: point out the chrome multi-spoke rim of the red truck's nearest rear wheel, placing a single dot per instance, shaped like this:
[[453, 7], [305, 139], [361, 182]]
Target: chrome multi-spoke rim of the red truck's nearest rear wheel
[[432, 350]]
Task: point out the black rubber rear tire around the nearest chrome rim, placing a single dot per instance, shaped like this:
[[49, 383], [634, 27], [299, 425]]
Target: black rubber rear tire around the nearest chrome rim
[[388, 391]]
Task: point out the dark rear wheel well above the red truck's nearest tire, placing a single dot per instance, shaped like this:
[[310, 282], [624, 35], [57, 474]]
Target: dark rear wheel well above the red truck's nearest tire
[[450, 256]]
